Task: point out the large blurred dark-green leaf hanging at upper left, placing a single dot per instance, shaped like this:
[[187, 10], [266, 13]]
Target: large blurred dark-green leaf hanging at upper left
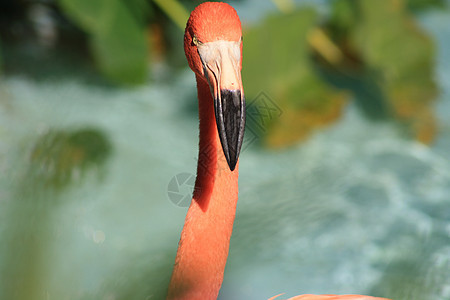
[[117, 36]]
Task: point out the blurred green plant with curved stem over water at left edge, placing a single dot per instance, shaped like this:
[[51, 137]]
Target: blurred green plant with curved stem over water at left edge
[[57, 159]]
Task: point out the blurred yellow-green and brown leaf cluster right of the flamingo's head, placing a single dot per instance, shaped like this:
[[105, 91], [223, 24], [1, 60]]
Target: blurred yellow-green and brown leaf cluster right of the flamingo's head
[[376, 43]]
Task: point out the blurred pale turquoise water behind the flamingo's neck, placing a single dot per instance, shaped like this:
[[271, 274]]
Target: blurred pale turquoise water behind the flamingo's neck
[[356, 209]]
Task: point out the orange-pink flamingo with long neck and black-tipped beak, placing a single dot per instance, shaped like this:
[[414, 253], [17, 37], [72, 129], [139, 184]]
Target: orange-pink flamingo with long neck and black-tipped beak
[[213, 47]]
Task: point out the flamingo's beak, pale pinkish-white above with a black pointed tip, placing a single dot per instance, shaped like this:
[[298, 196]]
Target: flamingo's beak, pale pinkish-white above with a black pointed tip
[[221, 64]]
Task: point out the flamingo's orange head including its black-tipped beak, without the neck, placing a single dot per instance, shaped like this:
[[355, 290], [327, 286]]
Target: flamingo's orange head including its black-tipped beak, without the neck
[[213, 47]]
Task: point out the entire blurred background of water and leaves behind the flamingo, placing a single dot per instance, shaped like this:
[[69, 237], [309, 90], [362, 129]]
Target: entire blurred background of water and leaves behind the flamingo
[[344, 172]]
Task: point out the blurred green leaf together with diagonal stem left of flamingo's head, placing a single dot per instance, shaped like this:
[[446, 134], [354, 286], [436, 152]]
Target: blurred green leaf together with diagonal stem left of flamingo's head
[[121, 34]]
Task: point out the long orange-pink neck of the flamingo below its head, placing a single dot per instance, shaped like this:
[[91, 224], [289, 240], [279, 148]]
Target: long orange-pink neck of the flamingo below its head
[[205, 239]]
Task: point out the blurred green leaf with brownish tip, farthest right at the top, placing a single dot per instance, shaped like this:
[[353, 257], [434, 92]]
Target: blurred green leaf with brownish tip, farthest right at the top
[[401, 57]]
